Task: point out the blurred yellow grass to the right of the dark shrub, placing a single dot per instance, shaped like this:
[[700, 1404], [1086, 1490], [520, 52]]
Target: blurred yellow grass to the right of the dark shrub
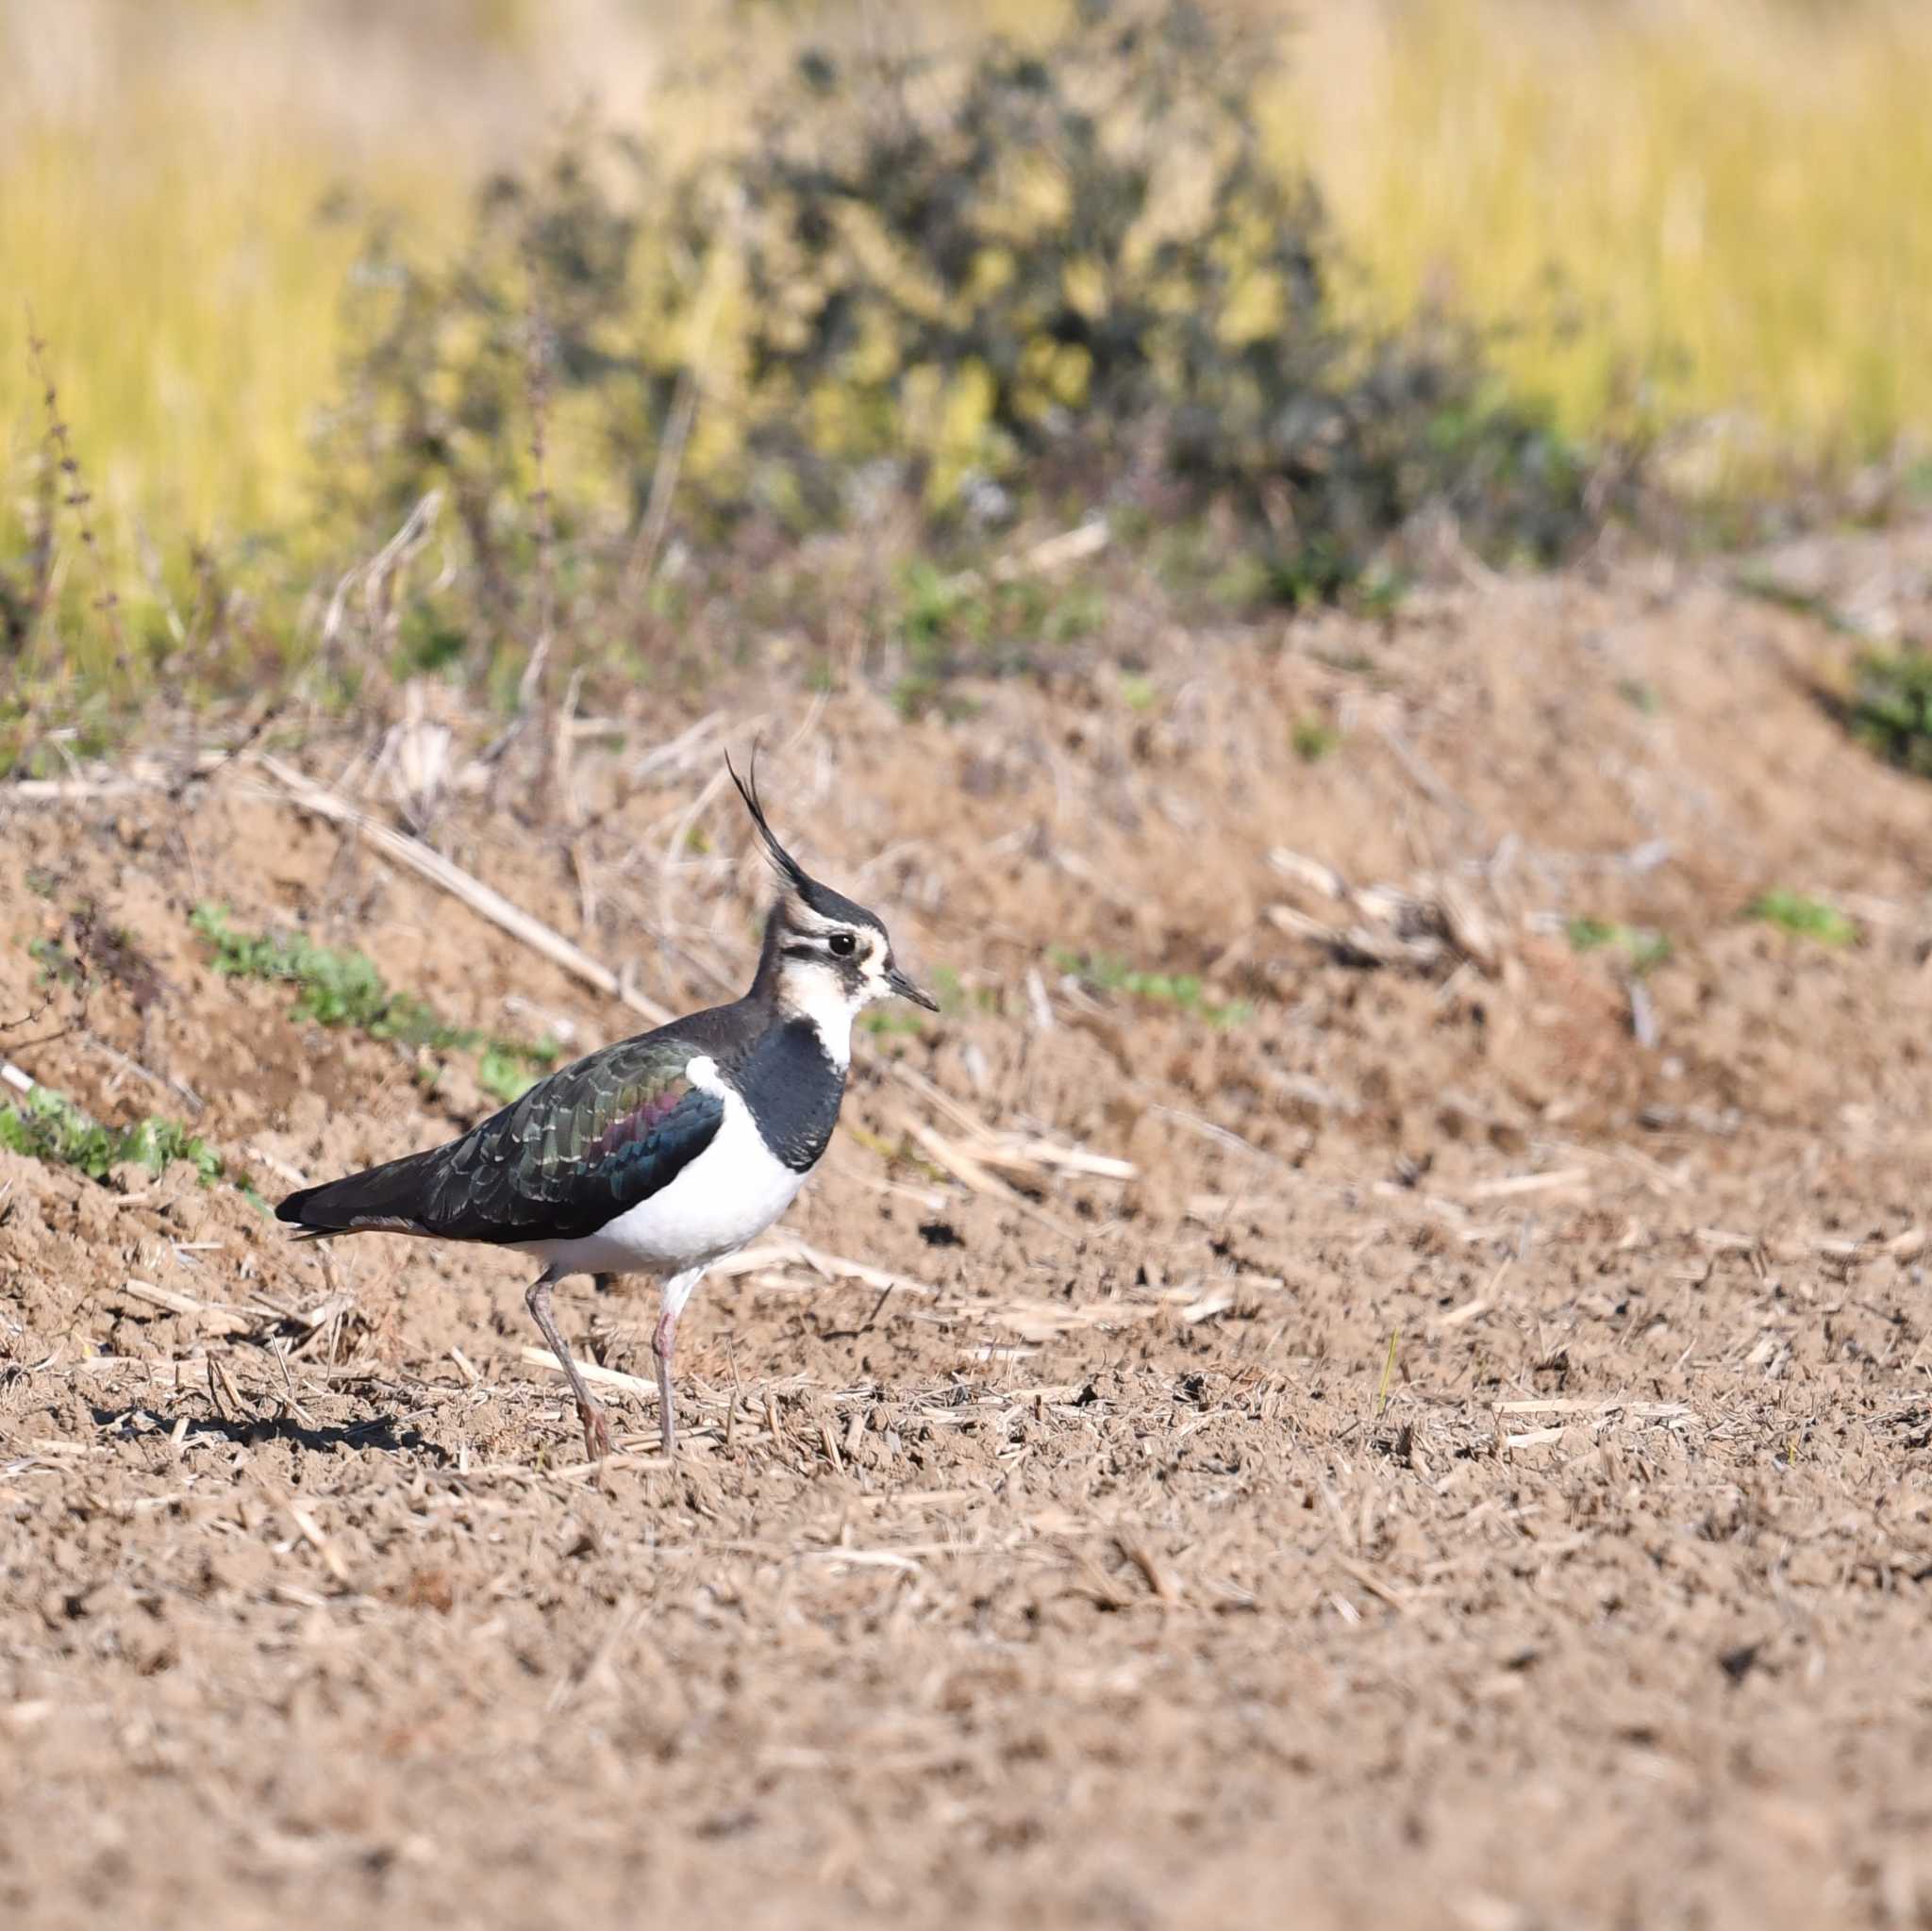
[[1728, 200]]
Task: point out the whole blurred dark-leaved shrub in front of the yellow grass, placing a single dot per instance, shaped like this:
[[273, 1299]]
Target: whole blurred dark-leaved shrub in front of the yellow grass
[[971, 283]]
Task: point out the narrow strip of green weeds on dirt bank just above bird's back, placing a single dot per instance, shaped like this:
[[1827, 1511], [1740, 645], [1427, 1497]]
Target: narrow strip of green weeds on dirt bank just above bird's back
[[341, 988]]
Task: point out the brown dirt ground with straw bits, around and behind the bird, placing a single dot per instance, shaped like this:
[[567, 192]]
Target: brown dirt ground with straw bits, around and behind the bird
[[1100, 1575]]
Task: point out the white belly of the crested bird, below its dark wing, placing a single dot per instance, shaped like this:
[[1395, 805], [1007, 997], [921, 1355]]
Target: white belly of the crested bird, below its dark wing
[[725, 1198]]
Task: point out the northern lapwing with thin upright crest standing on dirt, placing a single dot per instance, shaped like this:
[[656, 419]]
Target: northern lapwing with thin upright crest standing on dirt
[[662, 1154]]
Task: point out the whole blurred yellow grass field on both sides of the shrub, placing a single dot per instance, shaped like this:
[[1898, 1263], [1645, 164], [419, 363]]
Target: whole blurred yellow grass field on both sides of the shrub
[[1730, 196]]
